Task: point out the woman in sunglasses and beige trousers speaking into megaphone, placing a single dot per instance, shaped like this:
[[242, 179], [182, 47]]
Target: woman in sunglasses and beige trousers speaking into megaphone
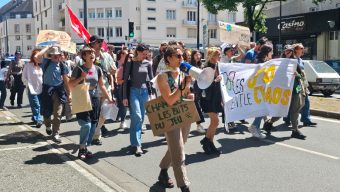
[[168, 86]]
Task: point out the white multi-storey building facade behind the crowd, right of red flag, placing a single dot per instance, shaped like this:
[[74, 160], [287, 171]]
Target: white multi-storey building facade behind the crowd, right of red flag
[[154, 21]]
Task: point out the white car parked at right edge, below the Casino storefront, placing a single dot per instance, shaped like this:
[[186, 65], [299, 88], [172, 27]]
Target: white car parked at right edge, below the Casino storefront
[[321, 77]]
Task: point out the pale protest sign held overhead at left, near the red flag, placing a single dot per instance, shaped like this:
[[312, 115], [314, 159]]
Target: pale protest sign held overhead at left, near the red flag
[[60, 38]]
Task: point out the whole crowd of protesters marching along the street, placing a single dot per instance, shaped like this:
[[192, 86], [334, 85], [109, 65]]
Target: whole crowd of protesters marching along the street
[[125, 79]]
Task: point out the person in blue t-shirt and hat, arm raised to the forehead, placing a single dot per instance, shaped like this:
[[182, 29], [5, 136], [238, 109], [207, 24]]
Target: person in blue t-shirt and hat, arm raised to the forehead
[[54, 90]]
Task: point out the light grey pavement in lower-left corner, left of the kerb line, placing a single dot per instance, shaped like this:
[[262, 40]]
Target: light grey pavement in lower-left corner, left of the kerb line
[[29, 162]]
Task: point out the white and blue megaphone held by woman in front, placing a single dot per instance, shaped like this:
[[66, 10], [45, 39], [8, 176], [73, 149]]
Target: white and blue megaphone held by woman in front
[[204, 77]]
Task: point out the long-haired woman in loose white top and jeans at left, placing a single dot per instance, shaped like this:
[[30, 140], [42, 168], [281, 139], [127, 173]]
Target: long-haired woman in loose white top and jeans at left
[[32, 74]]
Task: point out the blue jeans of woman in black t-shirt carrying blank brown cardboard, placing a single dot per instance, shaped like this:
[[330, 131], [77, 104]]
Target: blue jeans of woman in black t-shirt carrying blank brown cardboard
[[87, 130]]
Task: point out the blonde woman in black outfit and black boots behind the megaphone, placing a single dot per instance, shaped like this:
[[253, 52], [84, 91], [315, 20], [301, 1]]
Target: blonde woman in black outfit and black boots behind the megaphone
[[211, 102]]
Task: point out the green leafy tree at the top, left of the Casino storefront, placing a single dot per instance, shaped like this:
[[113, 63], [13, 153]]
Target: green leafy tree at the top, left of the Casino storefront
[[253, 10]]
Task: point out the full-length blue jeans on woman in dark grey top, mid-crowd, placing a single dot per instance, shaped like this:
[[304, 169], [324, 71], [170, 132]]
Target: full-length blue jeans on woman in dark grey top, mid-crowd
[[137, 99]]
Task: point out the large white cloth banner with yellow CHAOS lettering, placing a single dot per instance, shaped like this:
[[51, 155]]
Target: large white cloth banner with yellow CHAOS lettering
[[255, 90]]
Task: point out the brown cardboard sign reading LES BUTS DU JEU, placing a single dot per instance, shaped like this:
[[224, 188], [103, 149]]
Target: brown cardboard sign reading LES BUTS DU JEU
[[164, 118]]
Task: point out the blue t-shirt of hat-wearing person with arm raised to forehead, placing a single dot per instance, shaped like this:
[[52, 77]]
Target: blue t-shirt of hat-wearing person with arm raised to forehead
[[52, 74]]
